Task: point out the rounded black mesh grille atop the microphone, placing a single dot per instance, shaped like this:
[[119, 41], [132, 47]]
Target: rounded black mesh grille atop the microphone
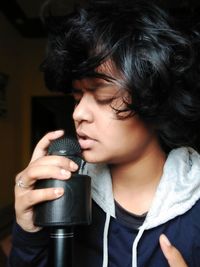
[[67, 147]]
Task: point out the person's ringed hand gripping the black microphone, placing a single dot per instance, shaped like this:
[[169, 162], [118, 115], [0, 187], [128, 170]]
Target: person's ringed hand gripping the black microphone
[[41, 166]]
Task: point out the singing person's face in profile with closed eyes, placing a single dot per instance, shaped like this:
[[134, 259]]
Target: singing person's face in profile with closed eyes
[[104, 137]]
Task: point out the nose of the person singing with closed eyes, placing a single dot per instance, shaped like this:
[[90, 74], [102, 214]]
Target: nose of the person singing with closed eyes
[[83, 110]]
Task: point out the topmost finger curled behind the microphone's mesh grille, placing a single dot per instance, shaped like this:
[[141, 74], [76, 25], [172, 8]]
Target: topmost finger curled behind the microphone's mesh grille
[[42, 146]]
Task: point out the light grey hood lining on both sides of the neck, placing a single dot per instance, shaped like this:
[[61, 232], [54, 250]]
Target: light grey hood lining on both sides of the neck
[[177, 192]]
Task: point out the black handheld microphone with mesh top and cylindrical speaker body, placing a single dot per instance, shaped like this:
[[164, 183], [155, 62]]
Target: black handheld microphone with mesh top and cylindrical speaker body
[[73, 208]]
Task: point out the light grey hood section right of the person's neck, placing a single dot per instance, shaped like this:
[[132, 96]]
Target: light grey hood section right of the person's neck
[[179, 187]]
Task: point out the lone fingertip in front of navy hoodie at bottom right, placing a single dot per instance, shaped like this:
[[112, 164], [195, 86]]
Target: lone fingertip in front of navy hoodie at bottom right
[[172, 254]]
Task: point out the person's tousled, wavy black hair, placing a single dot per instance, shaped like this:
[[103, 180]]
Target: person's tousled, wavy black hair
[[159, 64]]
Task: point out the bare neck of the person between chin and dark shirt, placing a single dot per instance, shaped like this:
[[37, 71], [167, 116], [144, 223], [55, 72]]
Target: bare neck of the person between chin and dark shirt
[[135, 182]]
